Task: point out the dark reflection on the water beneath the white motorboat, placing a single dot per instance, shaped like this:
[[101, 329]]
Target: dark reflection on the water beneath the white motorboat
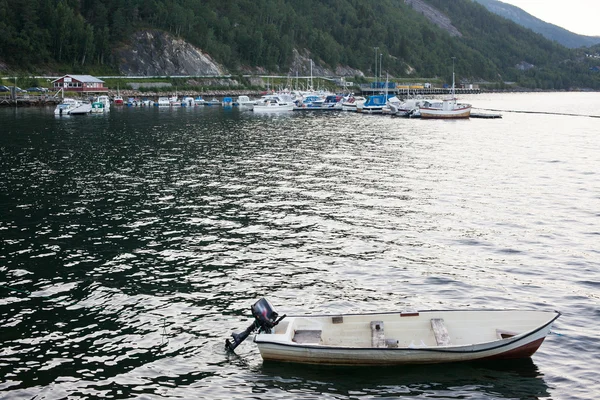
[[504, 380]]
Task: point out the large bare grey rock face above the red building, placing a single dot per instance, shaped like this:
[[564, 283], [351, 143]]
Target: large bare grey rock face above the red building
[[156, 53]]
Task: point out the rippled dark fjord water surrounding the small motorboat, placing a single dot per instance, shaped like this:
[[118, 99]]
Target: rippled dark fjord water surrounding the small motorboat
[[132, 244]]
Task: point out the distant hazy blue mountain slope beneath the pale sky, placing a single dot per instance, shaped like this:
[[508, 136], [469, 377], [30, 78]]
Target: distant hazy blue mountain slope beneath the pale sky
[[549, 31]]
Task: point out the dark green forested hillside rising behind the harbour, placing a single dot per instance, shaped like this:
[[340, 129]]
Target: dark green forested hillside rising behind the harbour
[[81, 35]]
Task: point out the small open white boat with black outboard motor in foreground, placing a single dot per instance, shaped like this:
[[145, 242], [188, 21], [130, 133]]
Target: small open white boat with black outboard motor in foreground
[[394, 338]]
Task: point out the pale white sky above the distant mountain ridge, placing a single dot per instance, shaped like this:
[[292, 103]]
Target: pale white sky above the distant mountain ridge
[[578, 16]]
